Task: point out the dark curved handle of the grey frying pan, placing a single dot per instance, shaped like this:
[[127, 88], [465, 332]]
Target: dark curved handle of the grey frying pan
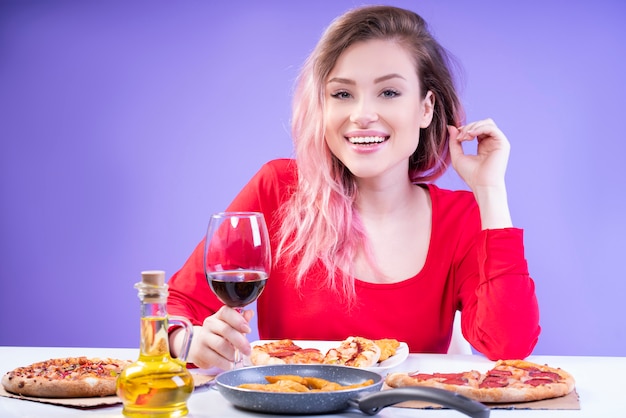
[[372, 403]]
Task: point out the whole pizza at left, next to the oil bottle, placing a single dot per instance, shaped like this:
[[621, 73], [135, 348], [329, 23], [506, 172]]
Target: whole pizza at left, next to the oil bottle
[[71, 377]]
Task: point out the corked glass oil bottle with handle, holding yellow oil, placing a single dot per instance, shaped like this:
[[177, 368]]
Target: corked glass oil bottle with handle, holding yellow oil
[[156, 385]]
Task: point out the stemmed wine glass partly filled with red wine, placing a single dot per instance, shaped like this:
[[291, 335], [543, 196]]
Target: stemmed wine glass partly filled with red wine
[[237, 259]]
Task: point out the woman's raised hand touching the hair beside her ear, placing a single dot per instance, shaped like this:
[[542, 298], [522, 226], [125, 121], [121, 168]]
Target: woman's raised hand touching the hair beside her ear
[[487, 168]]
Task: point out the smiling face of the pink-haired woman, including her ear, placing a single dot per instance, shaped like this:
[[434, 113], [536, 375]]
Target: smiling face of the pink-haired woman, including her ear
[[374, 109]]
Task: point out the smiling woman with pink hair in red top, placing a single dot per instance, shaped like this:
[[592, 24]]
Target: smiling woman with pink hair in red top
[[363, 242]]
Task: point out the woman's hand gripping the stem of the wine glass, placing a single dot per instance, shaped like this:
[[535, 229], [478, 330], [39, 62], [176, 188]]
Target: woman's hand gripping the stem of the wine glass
[[213, 344]]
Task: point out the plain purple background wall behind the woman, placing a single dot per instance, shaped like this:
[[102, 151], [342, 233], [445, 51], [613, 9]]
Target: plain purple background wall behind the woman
[[124, 124]]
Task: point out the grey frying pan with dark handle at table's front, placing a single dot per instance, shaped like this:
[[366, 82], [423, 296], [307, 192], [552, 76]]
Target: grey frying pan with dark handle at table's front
[[369, 399]]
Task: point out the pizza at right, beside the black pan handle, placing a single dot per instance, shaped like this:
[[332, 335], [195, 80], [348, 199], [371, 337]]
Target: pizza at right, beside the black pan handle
[[508, 381]]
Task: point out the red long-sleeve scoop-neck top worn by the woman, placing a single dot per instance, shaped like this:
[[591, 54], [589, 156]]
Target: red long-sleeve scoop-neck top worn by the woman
[[482, 273]]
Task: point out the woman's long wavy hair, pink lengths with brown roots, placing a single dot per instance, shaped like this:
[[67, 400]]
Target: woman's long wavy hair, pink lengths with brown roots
[[320, 223]]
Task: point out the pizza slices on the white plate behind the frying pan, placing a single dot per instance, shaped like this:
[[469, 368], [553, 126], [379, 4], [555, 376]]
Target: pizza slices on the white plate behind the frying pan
[[353, 351]]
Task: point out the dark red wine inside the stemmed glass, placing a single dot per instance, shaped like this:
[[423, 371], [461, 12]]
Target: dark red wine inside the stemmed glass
[[237, 288]]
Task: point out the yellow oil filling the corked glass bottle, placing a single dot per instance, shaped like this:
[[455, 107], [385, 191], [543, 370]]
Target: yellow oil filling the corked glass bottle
[[156, 385]]
